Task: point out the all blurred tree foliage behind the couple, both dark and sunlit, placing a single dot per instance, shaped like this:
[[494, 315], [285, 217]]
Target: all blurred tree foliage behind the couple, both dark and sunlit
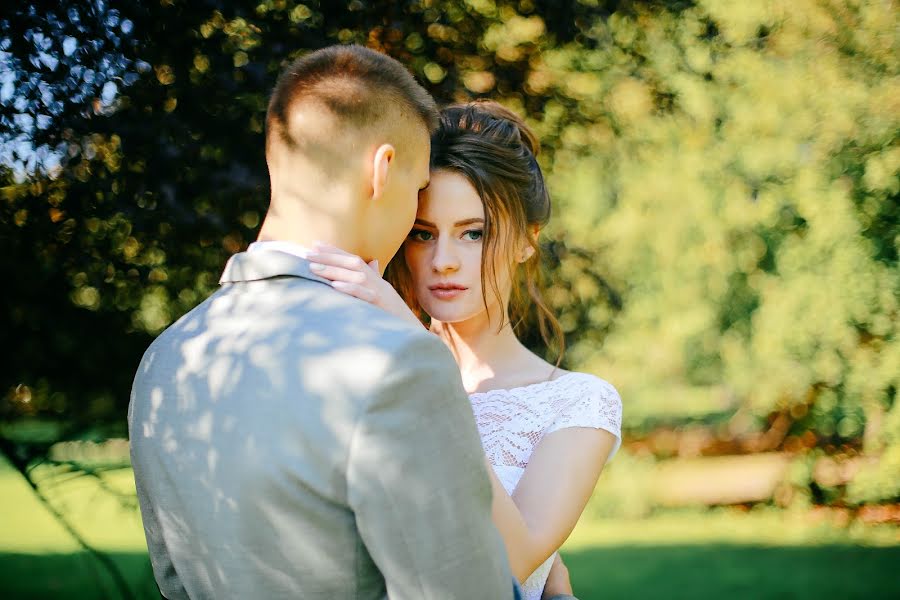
[[725, 178]]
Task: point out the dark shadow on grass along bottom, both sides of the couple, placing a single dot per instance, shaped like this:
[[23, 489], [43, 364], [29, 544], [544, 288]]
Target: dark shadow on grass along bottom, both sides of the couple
[[670, 572]]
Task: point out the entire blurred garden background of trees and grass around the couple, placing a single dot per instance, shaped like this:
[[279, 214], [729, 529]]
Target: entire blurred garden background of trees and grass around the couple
[[724, 249]]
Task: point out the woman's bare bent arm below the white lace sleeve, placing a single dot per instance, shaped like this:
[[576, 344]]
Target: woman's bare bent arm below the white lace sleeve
[[551, 495]]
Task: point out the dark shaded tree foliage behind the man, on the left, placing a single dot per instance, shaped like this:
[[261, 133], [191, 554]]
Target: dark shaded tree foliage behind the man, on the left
[[123, 221]]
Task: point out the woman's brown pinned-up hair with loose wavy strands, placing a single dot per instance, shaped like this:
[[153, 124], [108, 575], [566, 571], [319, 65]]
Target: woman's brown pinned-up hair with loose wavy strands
[[496, 152]]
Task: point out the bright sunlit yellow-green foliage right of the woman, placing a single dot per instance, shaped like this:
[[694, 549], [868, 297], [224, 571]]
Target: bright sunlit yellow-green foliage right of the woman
[[733, 172]]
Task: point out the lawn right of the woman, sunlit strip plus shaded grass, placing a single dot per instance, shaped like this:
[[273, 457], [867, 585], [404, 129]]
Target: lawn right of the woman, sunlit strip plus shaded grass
[[733, 554]]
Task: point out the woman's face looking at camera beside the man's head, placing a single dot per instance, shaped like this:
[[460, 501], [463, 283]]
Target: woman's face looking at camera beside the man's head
[[444, 249]]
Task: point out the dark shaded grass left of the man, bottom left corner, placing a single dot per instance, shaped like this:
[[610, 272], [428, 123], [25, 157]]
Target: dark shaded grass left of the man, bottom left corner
[[63, 576]]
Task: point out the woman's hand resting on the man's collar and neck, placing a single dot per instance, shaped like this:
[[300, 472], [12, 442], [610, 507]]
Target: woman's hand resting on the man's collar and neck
[[350, 274]]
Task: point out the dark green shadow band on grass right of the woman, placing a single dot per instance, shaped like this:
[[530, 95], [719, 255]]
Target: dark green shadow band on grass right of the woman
[[735, 571]]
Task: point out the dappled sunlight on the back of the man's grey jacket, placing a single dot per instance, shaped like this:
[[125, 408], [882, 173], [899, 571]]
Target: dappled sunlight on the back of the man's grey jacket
[[227, 419]]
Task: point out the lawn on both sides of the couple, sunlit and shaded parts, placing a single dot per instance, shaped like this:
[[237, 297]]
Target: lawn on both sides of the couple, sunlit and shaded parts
[[689, 554]]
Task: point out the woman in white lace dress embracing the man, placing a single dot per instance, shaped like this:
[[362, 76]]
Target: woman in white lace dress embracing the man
[[469, 271]]
